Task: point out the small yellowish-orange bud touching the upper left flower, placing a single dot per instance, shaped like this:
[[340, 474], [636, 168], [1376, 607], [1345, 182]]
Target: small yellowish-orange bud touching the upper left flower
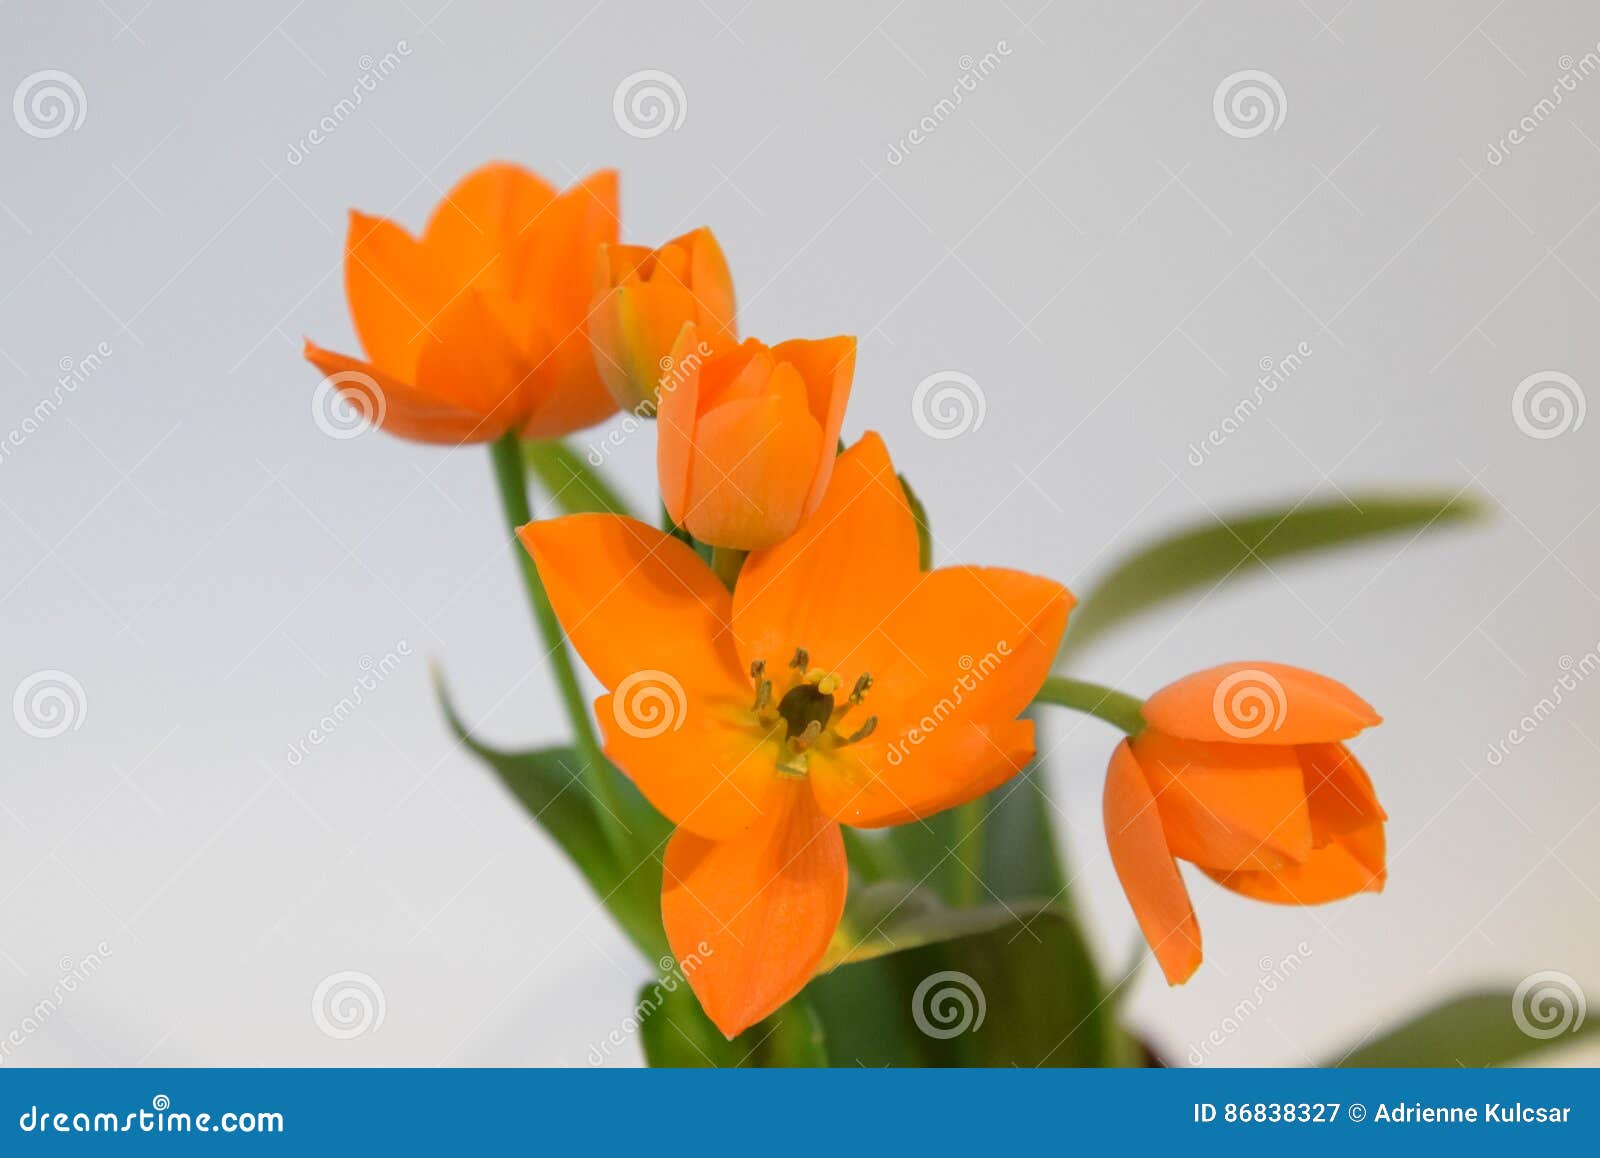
[[644, 300]]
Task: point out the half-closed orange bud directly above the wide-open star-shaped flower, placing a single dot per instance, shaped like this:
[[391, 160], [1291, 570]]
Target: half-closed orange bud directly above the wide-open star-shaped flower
[[748, 437]]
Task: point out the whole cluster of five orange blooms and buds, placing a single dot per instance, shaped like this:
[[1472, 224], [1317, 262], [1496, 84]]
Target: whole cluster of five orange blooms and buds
[[778, 657]]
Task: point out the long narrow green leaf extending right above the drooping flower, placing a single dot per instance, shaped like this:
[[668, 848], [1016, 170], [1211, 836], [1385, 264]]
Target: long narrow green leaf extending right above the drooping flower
[[1218, 549]]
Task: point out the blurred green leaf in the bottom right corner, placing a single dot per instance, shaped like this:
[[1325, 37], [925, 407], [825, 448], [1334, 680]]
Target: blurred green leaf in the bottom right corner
[[1471, 1031]]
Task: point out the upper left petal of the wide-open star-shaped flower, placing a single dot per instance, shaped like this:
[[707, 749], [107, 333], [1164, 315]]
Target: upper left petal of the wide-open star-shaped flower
[[633, 601]]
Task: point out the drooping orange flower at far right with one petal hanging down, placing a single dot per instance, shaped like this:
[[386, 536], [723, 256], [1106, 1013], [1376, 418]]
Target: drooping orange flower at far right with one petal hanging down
[[1244, 773]]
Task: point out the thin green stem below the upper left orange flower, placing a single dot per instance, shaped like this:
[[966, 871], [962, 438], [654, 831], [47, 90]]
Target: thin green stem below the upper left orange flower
[[514, 498]]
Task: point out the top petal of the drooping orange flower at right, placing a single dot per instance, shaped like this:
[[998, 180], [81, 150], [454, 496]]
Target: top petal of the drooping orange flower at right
[[1258, 703]]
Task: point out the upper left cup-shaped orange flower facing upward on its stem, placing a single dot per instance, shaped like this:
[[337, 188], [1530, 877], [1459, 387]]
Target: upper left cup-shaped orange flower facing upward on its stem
[[479, 327]]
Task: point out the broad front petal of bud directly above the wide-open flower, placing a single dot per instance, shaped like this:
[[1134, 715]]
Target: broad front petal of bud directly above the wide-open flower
[[751, 466]]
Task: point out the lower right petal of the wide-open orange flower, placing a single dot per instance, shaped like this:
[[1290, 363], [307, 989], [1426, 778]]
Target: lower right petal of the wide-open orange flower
[[874, 785]]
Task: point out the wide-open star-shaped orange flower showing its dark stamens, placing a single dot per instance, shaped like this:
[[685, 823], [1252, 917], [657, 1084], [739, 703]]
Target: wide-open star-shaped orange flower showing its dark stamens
[[836, 685]]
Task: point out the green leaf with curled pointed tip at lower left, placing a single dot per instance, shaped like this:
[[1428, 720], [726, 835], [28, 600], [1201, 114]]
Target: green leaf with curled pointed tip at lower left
[[548, 783]]
